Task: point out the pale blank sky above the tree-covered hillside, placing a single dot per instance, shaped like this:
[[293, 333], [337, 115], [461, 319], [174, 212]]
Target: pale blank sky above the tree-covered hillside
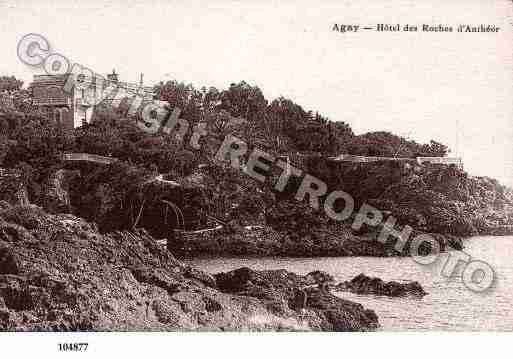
[[456, 88]]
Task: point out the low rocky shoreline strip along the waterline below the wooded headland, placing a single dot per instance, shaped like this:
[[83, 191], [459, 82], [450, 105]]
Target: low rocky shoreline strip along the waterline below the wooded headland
[[264, 241]]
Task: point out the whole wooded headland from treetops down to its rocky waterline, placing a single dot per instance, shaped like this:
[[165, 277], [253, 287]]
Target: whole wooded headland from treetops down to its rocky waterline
[[440, 200]]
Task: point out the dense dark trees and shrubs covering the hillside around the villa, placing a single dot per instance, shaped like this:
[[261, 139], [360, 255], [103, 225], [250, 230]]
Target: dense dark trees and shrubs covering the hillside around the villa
[[431, 198]]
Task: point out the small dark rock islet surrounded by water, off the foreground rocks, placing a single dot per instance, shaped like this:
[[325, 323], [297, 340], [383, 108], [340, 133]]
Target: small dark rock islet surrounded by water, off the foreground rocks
[[361, 284]]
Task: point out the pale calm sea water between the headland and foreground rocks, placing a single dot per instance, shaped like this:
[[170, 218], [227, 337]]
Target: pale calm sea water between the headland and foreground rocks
[[449, 305]]
